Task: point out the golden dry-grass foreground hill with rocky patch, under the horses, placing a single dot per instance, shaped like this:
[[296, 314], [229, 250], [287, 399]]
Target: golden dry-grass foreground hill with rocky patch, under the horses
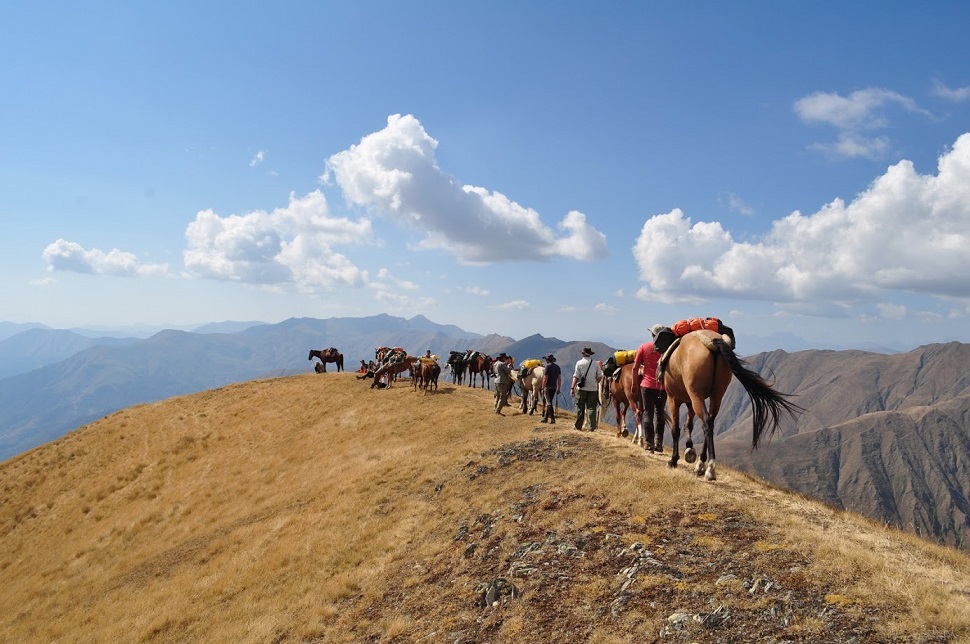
[[313, 508]]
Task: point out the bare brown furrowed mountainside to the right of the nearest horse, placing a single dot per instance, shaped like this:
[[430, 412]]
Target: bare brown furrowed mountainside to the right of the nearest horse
[[883, 435]]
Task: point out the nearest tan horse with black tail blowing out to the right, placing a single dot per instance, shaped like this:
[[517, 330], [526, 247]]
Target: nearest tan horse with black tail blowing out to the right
[[699, 368]]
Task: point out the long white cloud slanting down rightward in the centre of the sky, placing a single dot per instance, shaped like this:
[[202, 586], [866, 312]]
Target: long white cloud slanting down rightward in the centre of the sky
[[394, 172]]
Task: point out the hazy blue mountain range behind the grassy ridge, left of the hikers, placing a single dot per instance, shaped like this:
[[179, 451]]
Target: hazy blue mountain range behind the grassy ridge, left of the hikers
[[54, 381]]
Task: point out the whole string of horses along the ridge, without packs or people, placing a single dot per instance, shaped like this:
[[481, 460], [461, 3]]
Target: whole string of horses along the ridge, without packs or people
[[697, 370]]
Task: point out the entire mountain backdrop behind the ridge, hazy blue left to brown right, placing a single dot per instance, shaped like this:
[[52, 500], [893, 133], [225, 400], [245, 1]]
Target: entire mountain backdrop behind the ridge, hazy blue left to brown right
[[885, 435]]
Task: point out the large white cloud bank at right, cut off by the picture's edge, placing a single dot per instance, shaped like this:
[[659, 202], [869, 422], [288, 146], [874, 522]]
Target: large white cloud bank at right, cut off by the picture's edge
[[907, 232]]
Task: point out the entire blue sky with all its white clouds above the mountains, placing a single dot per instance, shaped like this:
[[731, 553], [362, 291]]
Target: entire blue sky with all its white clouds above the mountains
[[579, 170]]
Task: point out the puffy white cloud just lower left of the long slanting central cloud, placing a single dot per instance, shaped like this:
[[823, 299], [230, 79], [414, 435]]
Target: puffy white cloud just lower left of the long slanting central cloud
[[292, 244]]
